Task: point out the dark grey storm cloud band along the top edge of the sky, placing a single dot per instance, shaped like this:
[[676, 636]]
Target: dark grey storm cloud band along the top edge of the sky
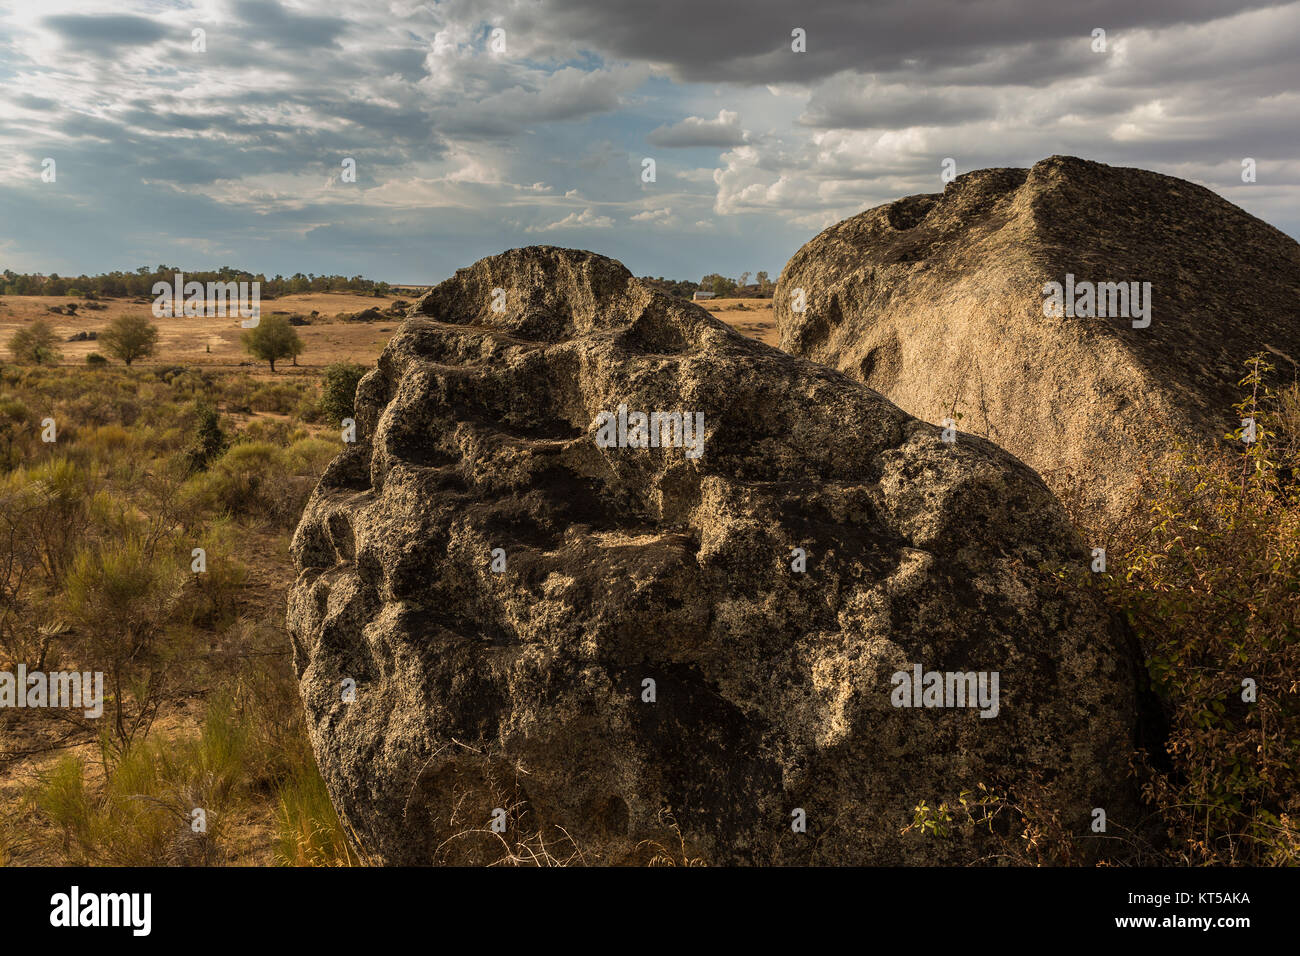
[[752, 42]]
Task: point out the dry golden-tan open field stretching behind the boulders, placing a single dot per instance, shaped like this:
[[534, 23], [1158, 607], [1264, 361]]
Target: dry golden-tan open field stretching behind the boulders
[[215, 341]]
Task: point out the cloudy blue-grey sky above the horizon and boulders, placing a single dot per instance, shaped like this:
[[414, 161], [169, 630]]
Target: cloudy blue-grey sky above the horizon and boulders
[[469, 141]]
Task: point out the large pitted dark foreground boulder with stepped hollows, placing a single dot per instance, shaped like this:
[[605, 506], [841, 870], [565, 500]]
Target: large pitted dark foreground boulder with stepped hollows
[[583, 634]]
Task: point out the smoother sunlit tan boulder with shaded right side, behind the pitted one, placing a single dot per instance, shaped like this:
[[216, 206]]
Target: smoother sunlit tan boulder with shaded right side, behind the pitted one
[[937, 301]]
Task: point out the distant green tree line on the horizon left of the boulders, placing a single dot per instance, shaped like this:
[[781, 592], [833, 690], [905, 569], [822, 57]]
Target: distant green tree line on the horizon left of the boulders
[[141, 283]]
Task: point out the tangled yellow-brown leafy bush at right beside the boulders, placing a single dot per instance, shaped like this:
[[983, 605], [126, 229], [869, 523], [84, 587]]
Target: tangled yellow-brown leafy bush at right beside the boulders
[[1214, 591]]
